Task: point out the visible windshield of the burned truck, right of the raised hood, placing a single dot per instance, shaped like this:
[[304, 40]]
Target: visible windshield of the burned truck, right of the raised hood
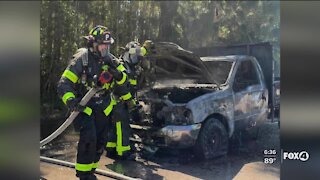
[[219, 70]]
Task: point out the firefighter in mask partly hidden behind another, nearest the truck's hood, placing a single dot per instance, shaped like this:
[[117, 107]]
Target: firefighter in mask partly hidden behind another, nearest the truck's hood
[[130, 63]]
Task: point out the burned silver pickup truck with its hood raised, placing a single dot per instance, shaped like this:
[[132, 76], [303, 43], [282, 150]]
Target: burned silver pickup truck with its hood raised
[[199, 102]]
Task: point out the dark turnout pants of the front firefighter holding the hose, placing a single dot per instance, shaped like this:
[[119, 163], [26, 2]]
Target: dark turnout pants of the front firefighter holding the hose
[[93, 129]]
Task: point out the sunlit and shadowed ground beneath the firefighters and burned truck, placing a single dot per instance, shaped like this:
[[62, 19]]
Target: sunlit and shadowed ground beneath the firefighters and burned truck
[[246, 163]]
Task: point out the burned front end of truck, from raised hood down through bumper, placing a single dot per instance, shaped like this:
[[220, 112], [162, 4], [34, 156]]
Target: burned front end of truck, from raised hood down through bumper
[[180, 82]]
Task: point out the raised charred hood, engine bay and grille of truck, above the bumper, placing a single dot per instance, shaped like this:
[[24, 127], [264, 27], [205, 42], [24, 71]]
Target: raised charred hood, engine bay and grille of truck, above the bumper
[[179, 77]]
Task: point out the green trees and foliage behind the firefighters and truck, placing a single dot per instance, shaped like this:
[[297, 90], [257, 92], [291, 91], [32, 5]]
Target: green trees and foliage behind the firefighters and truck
[[191, 24]]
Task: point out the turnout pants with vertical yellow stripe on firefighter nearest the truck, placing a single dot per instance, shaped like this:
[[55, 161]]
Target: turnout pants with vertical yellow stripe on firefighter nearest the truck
[[119, 131]]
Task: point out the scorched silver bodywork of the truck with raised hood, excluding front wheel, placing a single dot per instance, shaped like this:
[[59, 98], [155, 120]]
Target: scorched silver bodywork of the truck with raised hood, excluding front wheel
[[181, 98]]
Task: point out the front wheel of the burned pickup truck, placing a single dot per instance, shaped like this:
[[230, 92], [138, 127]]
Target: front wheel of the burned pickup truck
[[212, 140]]
